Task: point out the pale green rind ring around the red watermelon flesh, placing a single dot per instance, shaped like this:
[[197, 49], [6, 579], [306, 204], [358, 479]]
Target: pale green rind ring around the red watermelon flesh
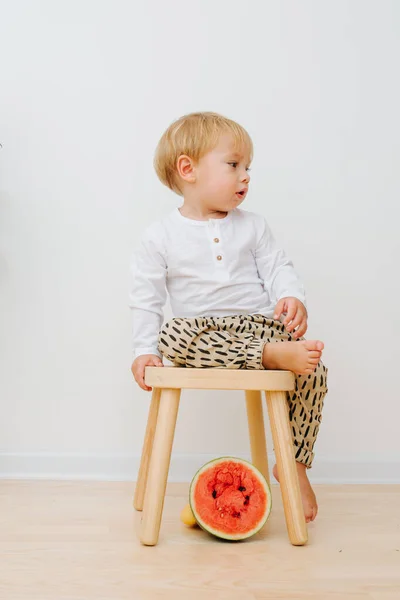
[[223, 534]]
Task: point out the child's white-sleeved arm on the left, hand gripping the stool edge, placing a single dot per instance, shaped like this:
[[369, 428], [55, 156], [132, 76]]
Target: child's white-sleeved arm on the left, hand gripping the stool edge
[[147, 298]]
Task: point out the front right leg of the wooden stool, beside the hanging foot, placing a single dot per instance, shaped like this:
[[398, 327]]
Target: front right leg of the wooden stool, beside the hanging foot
[[289, 481]]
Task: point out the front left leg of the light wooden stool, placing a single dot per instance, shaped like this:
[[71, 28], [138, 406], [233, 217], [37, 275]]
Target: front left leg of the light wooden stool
[[159, 466]]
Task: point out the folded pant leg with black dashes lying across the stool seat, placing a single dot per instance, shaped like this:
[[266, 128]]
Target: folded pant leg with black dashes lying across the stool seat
[[224, 342]]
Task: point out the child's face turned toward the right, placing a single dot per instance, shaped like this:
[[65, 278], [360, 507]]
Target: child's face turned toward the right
[[222, 176]]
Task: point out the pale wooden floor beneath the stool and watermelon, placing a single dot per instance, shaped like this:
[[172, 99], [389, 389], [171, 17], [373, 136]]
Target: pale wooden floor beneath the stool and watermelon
[[78, 541]]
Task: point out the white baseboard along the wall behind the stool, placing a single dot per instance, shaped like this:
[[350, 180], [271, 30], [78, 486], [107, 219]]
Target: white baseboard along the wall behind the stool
[[124, 467]]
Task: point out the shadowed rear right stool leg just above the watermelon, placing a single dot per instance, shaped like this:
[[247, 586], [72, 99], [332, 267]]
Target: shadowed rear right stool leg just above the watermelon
[[258, 444]]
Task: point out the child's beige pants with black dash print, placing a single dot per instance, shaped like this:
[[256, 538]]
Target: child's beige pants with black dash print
[[237, 343]]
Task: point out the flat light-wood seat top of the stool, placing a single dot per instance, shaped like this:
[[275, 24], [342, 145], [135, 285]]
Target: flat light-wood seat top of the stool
[[218, 379]]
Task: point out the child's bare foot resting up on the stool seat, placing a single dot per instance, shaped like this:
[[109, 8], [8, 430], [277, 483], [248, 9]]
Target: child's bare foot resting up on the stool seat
[[299, 357]]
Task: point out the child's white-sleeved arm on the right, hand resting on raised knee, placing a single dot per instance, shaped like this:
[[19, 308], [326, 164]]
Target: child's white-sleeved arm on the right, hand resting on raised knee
[[282, 282]]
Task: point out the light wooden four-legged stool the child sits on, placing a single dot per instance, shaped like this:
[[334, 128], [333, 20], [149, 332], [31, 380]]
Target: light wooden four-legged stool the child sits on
[[167, 383]]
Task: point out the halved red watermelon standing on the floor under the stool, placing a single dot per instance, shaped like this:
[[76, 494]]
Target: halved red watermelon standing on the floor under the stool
[[230, 498]]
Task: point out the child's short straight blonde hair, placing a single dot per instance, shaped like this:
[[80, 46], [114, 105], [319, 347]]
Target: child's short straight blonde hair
[[194, 134]]
